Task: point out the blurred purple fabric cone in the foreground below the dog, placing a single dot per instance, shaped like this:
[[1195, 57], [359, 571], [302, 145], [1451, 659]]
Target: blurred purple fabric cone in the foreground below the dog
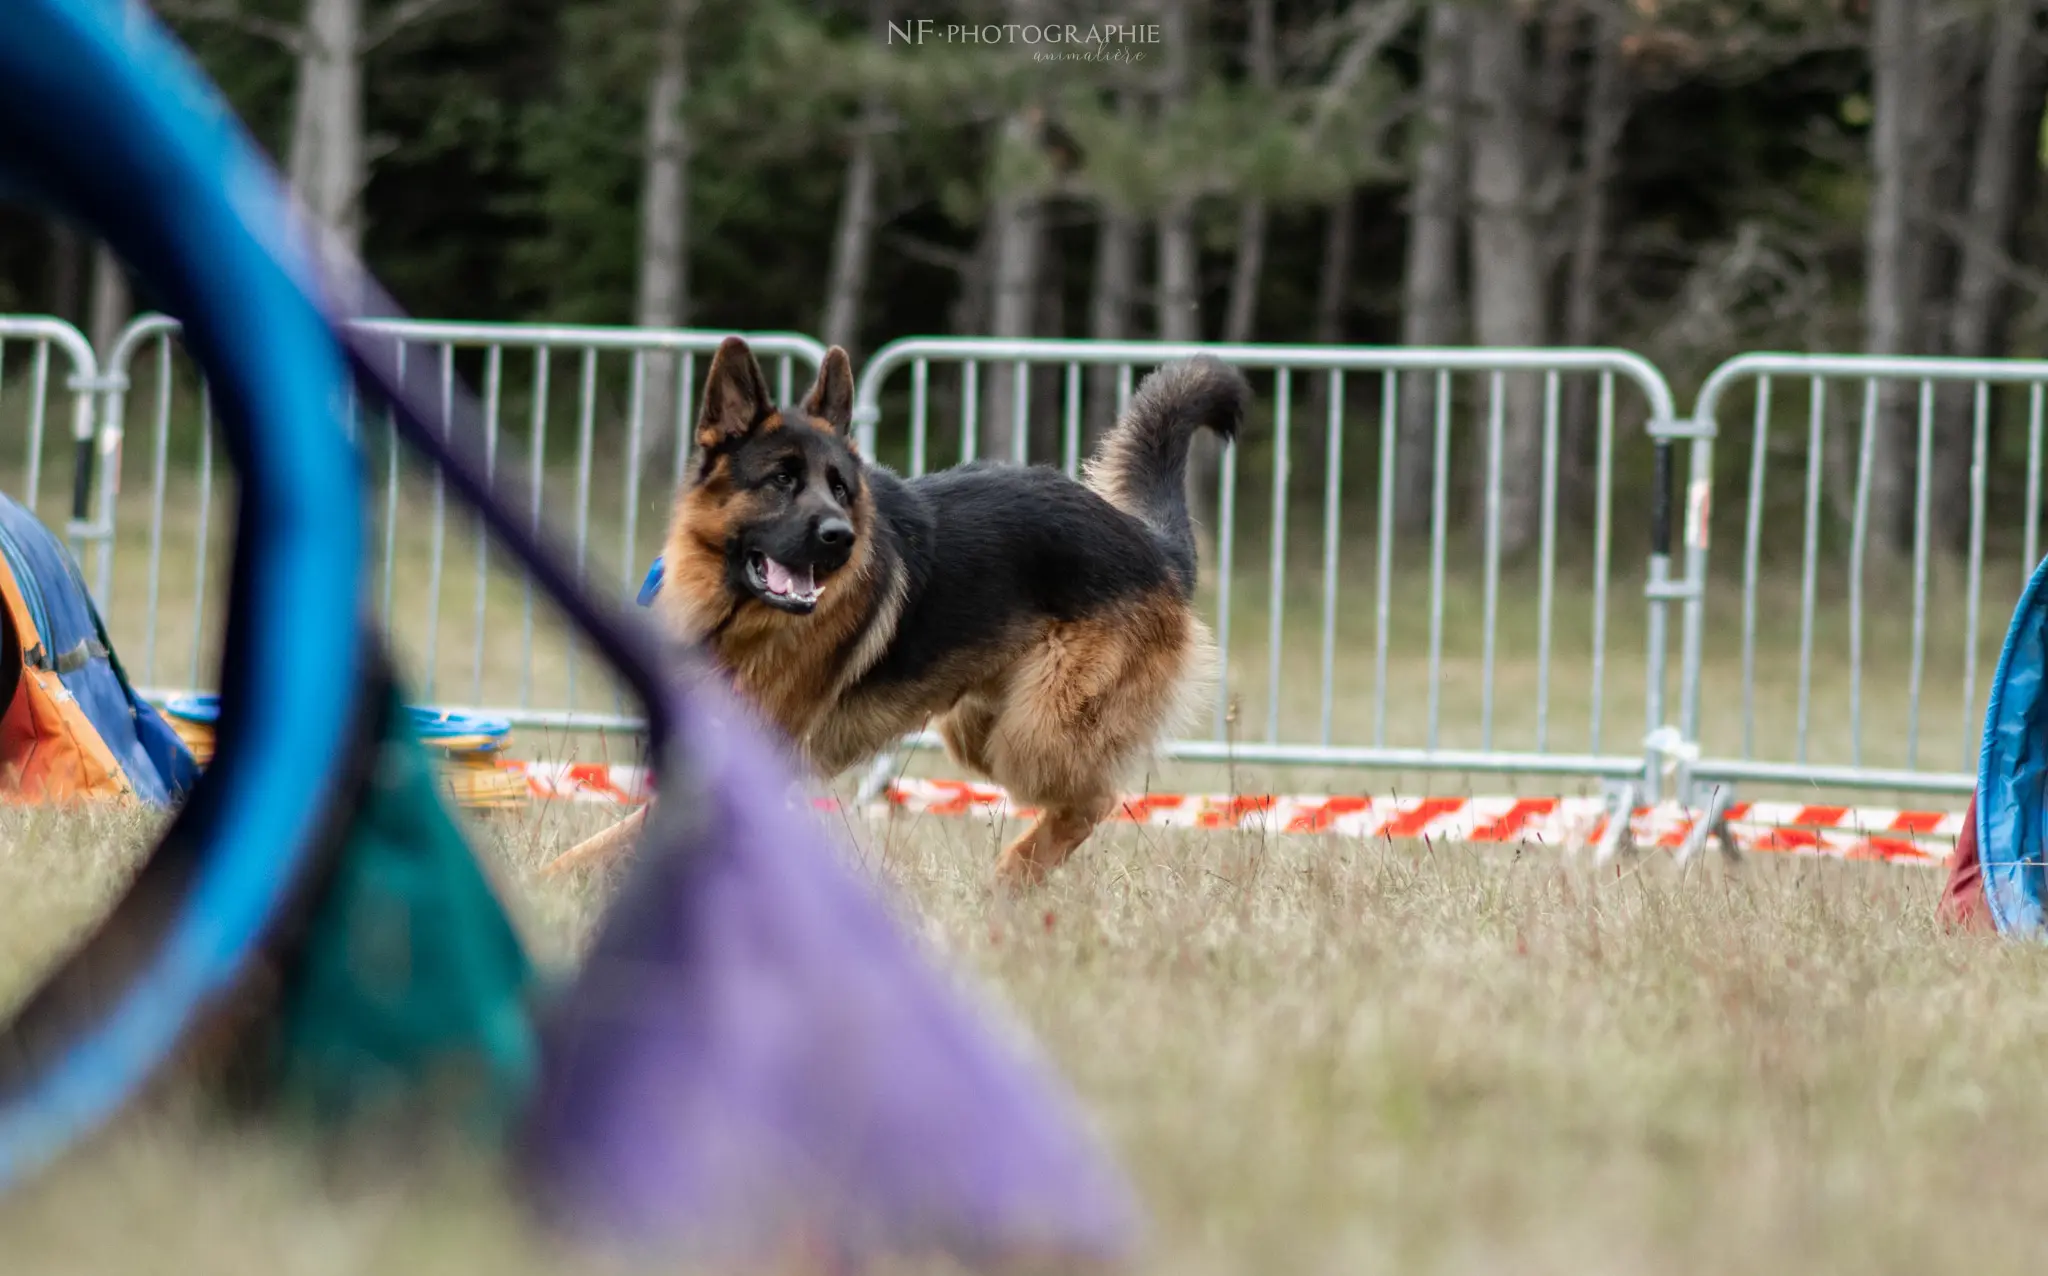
[[755, 1056]]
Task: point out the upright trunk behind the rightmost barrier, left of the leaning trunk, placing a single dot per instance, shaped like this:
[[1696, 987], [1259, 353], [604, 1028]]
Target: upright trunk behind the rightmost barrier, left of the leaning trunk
[[1893, 280]]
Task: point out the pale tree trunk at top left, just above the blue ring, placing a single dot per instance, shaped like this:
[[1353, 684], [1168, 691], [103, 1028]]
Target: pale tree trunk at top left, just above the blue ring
[[327, 136]]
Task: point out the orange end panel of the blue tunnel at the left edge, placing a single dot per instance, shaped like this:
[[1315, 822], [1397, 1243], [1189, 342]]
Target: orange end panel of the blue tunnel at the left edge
[[50, 753]]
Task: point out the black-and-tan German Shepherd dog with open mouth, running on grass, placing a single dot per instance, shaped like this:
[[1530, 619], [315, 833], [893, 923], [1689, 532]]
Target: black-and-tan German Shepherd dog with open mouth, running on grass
[[1046, 624]]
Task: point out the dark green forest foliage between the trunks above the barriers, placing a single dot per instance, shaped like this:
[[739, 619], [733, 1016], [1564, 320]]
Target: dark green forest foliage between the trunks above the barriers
[[507, 144]]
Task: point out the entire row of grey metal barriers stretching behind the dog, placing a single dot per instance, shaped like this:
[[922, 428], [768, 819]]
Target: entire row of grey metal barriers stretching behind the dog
[[1461, 677]]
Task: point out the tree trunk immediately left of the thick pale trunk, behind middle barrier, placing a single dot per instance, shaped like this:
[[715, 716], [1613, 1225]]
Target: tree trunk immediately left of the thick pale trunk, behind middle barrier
[[1431, 273]]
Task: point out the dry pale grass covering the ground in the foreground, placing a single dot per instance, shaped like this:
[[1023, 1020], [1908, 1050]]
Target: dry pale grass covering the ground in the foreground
[[1314, 1056]]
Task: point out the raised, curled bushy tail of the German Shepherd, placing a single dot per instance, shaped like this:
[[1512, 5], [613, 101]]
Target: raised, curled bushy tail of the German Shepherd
[[1142, 464]]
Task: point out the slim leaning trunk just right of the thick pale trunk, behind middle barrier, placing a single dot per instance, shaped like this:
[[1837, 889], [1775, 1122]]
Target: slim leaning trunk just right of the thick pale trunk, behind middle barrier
[[1607, 116]]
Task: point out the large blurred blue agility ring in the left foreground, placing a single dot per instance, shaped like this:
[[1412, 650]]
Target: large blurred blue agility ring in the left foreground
[[105, 120]]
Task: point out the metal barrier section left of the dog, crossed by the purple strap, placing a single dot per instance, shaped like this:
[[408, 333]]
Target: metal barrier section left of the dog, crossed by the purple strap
[[515, 667]]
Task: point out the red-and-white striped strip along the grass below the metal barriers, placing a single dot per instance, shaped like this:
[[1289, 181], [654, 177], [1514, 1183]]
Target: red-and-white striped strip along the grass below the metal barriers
[[1783, 828]]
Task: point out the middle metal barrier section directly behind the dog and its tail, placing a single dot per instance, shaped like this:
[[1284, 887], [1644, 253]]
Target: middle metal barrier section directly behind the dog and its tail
[[1482, 419]]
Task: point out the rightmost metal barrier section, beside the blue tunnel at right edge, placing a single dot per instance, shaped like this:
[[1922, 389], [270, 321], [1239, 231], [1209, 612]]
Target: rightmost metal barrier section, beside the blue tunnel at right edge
[[1902, 450]]
